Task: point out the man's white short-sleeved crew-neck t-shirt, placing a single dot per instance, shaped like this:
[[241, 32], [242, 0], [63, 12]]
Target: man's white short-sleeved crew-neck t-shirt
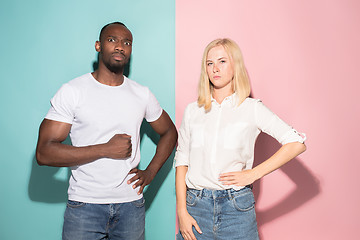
[[97, 112]]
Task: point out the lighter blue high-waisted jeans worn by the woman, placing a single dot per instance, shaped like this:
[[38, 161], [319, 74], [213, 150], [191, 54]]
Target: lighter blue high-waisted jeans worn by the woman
[[223, 214]]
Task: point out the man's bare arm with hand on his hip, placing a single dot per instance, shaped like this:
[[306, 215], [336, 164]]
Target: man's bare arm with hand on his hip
[[168, 137]]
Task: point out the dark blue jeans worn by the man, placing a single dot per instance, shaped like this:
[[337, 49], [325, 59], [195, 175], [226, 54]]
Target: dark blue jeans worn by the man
[[86, 221]]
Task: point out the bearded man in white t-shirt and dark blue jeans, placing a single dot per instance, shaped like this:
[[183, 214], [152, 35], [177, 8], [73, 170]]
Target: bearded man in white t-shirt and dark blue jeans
[[103, 112]]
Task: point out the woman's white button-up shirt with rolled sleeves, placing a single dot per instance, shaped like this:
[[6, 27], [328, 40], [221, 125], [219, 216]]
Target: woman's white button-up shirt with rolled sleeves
[[223, 139]]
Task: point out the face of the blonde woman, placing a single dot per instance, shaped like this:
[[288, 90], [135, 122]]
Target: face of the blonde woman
[[219, 68]]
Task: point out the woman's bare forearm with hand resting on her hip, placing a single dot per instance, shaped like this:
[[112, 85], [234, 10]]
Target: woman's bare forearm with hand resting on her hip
[[282, 156]]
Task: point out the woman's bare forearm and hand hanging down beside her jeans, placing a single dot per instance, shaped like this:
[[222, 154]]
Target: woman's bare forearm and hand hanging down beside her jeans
[[186, 221]]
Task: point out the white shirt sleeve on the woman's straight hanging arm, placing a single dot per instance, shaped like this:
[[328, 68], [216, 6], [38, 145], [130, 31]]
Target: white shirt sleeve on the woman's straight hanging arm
[[182, 151]]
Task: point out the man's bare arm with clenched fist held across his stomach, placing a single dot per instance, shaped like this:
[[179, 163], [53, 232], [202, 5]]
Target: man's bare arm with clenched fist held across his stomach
[[51, 151]]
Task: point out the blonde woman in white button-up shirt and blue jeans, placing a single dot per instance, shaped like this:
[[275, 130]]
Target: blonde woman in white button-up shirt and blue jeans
[[215, 150]]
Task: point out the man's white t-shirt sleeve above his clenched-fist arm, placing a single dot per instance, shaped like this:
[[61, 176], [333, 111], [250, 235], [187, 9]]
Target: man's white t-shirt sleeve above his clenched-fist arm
[[63, 105]]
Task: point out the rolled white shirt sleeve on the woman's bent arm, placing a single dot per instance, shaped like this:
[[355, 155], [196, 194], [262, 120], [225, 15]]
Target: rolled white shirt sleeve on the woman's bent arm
[[271, 124]]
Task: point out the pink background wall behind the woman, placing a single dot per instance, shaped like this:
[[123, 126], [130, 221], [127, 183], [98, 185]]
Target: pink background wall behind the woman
[[303, 61]]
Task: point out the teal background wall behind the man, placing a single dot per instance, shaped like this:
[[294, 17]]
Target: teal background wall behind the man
[[46, 43]]
